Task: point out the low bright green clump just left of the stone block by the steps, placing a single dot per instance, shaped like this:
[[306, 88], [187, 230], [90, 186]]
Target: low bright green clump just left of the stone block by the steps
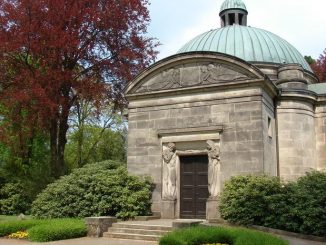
[[60, 229]]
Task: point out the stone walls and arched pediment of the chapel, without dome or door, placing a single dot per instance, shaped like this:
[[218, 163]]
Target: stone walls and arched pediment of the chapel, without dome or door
[[262, 118]]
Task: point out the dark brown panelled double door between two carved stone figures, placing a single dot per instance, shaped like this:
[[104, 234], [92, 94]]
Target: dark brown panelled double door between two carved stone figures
[[193, 186]]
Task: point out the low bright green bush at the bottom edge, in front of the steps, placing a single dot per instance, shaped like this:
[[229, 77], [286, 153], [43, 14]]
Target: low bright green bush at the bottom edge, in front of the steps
[[209, 235]]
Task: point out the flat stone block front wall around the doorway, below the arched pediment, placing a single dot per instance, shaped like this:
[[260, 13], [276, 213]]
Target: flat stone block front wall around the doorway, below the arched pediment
[[240, 112]]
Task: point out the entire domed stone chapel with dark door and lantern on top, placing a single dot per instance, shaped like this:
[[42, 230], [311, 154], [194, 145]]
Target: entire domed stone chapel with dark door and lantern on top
[[236, 100]]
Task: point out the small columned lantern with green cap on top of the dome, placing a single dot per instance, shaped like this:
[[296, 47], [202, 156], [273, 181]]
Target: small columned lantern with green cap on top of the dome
[[233, 12]]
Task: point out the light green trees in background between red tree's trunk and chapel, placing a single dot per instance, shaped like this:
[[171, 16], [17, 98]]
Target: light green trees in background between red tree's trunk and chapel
[[97, 133]]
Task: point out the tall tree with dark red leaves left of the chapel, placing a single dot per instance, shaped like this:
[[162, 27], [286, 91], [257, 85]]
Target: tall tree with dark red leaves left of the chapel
[[53, 52]]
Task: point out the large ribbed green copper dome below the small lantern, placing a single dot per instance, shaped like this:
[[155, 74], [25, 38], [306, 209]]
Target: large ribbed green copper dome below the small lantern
[[247, 43]]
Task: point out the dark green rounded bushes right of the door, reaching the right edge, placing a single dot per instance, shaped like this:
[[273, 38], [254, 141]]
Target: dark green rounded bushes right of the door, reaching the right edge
[[266, 201]]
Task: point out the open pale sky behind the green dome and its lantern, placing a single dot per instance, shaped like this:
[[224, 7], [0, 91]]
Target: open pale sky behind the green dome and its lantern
[[301, 22]]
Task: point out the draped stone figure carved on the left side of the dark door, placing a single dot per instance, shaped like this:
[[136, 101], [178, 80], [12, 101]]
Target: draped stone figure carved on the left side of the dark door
[[169, 172]]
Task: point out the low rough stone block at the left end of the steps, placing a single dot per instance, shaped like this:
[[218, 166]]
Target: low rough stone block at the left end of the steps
[[96, 226]]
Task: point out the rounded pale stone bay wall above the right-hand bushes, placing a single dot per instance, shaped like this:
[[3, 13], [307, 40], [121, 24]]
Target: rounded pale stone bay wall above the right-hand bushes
[[297, 141]]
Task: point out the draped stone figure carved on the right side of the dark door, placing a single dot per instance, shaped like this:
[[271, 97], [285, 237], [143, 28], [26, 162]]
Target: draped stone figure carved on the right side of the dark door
[[214, 168]]
